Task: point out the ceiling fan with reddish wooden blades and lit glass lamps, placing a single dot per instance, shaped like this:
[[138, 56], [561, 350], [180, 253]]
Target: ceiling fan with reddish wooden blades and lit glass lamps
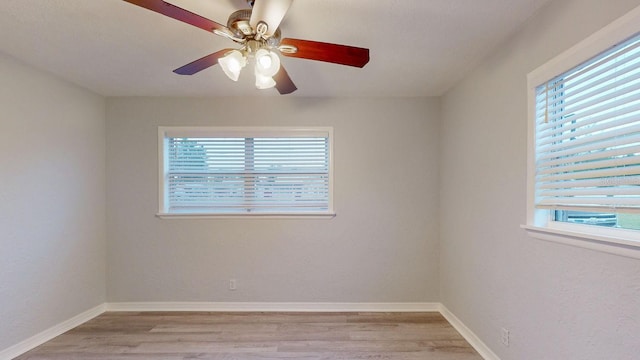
[[258, 33]]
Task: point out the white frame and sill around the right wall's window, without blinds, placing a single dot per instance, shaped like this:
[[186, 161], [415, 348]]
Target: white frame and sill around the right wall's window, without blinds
[[540, 224]]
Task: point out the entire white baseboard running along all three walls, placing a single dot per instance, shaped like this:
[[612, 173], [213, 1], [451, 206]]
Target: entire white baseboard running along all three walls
[[67, 325]]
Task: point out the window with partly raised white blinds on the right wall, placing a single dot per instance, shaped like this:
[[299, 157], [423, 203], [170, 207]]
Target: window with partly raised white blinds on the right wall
[[584, 167]]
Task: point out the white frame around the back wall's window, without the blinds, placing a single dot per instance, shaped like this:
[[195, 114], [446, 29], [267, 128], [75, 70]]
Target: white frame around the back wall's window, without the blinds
[[164, 132]]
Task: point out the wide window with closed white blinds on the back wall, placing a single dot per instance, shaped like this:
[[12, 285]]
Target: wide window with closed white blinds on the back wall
[[209, 171]]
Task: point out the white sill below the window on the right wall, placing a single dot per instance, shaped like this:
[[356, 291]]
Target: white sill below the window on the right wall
[[621, 246]]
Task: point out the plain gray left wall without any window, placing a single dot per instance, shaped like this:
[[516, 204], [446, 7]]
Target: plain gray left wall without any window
[[52, 201]]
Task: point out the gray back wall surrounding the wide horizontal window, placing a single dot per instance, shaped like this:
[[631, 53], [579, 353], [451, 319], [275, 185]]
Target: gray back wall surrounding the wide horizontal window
[[381, 247]]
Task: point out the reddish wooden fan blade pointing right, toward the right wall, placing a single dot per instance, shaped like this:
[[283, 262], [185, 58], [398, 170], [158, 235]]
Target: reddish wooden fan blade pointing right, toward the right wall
[[333, 53]]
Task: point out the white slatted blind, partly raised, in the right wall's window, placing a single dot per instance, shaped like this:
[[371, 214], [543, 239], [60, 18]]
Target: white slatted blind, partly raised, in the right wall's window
[[588, 135]]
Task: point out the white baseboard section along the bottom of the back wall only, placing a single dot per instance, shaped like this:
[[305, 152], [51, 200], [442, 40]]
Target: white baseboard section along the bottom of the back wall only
[[267, 306]]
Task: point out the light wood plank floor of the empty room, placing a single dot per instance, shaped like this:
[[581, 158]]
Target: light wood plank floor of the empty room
[[259, 336]]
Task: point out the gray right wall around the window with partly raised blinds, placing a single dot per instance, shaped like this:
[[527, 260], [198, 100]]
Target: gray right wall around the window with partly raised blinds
[[559, 302]]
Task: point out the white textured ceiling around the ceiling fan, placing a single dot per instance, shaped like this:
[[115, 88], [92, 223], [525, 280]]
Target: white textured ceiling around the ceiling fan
[[418, 47]]
